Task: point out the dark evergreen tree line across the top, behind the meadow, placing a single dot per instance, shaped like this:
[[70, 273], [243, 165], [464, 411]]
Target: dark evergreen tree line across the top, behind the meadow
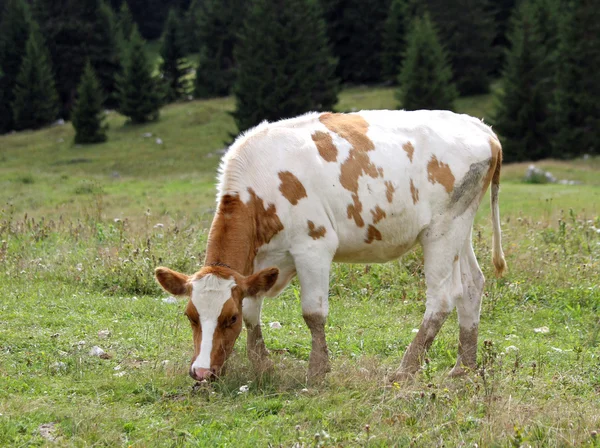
[[281, 58]]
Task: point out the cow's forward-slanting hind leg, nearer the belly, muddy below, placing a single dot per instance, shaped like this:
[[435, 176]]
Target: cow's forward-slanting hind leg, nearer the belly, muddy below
[[442, 250]]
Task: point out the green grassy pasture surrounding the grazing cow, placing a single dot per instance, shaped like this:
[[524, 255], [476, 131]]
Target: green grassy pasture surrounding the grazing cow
[[82, 229]]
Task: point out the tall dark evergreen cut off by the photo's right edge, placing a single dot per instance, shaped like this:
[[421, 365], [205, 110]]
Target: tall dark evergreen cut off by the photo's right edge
[[576, 103]]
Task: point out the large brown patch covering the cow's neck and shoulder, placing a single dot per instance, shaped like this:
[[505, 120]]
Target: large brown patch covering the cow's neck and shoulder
[[239, 230]]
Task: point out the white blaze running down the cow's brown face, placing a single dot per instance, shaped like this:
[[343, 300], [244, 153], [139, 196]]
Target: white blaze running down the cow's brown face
[[209, 294]]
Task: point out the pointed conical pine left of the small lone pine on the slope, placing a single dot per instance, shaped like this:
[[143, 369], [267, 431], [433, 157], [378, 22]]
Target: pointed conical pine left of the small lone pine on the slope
[[36, 100]]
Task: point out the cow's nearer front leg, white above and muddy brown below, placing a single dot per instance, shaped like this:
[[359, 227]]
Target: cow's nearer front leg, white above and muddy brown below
[[313, 273]]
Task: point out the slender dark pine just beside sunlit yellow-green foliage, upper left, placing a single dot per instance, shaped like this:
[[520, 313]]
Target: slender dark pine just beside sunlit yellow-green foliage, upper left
[[173, 66]]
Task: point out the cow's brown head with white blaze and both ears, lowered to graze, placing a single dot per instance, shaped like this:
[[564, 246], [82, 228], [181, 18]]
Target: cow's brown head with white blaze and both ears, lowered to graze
[[214, 310]]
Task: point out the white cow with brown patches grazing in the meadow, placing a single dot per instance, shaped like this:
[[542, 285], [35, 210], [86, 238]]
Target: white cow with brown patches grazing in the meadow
[[298, 194]]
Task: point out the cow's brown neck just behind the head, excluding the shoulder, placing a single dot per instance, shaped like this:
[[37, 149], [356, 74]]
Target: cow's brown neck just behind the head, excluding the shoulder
[[231, 240]]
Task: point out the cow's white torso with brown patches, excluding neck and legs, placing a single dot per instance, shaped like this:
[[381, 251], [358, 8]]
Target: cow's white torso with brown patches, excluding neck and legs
[[372, 180]]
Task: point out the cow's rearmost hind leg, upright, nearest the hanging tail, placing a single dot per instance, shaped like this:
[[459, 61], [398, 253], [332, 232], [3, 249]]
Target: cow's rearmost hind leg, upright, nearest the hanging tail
[[468, 306]]
